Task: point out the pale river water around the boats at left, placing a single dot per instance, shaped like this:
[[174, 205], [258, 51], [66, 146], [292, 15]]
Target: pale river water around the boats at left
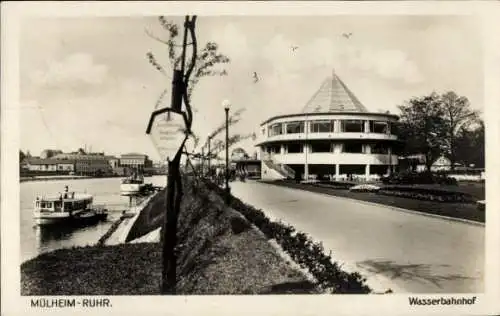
[[106, 191]]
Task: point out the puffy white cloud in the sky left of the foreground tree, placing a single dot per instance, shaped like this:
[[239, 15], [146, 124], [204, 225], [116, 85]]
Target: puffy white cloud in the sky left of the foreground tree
[[74, 70]]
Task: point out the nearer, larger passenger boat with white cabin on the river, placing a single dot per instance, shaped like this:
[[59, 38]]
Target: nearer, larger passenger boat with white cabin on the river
[[68, 208]]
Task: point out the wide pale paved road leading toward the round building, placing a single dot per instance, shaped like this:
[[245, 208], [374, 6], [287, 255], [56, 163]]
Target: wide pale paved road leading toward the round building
[[409, 252]]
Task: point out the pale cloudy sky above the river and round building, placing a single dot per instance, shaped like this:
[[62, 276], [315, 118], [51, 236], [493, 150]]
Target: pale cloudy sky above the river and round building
[[87, 82]]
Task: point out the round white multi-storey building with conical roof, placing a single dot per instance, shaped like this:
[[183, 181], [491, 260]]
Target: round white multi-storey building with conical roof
[[333, 136]]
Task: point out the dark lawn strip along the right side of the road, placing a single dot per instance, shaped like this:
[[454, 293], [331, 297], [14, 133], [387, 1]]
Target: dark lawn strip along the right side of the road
[[466, 211]]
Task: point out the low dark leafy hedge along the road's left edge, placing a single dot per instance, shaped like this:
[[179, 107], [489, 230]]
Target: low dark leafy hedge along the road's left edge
[[307, 253]]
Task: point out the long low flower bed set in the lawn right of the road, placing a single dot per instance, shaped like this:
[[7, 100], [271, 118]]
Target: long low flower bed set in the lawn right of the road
[[427, 194]]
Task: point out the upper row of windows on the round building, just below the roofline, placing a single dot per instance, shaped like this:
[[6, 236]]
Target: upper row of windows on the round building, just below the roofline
[[327, 126]]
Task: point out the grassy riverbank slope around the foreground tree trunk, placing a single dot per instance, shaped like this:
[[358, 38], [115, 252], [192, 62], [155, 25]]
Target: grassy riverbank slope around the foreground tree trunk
[[219, 253]]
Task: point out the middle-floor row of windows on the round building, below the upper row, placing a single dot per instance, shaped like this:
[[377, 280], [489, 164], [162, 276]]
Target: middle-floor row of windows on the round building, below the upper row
[[326, 147]]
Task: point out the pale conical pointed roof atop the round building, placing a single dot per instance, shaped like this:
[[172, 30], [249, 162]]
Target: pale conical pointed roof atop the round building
[[333, 96]]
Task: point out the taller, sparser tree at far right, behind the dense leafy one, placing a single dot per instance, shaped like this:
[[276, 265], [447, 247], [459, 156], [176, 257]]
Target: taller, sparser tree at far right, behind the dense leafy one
[[457, 117]]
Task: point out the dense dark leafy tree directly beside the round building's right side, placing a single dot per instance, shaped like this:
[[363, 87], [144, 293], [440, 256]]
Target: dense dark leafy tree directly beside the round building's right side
[[421, 127]]
